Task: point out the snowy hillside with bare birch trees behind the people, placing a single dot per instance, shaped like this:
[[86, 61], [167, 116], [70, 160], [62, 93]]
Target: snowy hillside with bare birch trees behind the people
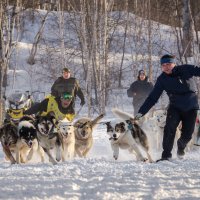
[[102, 41]]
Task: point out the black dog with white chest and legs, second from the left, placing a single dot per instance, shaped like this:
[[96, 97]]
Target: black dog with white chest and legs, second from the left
[[27, 142]]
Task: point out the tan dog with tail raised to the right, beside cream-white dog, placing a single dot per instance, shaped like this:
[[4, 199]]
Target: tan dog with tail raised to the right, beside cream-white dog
[[83, 134]]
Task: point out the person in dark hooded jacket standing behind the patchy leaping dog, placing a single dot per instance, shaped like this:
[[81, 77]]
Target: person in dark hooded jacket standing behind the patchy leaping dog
[[139, 90]]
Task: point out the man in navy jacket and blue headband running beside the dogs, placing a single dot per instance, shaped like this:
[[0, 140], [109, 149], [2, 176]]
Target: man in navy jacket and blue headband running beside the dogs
[[181, 89]]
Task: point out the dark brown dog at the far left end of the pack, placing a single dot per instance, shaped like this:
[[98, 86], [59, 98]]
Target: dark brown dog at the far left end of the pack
[[8, 138]]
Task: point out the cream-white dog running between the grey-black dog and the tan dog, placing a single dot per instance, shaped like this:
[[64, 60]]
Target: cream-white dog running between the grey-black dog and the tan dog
[[66, 130]]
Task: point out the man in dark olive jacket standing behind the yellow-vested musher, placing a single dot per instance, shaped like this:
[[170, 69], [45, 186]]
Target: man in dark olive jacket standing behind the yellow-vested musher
[[66, 83]]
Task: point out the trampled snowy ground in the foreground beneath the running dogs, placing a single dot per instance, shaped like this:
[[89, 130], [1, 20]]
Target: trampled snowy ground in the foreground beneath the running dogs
[[101, 177]]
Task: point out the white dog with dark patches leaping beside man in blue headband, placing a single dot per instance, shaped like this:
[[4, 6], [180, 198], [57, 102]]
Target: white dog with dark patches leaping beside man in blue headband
[[127, 134]]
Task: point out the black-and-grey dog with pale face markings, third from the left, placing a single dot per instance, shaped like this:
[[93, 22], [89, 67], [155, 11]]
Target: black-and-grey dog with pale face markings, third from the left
[[48, 137]]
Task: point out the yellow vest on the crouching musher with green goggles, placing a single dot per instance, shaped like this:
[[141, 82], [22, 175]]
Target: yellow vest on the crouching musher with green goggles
[[53, 107]]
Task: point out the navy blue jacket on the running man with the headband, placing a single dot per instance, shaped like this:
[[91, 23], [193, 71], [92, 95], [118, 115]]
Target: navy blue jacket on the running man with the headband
[[180, 87]]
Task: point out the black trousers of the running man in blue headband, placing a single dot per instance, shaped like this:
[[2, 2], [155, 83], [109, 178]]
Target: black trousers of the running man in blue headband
[[174, 117]]
